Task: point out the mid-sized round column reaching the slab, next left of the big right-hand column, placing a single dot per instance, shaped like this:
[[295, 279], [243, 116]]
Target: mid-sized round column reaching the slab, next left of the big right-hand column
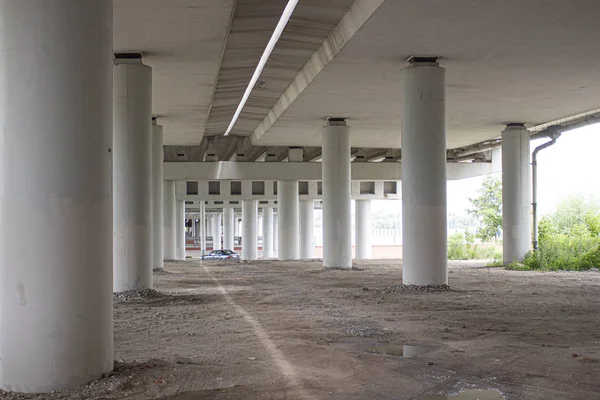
[[337, 224]]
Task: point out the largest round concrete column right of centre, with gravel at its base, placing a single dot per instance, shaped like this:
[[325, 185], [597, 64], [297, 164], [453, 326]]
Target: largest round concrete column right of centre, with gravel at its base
[[424, 175]]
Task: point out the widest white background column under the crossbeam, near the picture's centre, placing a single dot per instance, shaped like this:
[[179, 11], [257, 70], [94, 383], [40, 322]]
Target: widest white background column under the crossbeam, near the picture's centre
[[288, 205]]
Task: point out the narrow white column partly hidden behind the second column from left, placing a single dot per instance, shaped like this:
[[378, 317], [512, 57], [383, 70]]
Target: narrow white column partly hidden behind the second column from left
[[157, 198]]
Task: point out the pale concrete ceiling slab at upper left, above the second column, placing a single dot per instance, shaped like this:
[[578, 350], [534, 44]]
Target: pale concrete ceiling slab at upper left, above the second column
[[183, 42]]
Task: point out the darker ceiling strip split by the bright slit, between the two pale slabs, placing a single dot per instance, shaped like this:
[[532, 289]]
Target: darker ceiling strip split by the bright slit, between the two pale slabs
[[252, 26]]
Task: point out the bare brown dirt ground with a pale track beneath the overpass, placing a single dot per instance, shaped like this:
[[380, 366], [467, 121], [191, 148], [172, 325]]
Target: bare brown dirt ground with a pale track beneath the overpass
[[285, 330]]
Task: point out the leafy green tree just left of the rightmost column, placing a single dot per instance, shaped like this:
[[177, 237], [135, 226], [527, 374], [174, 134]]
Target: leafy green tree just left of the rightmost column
[[487, 207]]
